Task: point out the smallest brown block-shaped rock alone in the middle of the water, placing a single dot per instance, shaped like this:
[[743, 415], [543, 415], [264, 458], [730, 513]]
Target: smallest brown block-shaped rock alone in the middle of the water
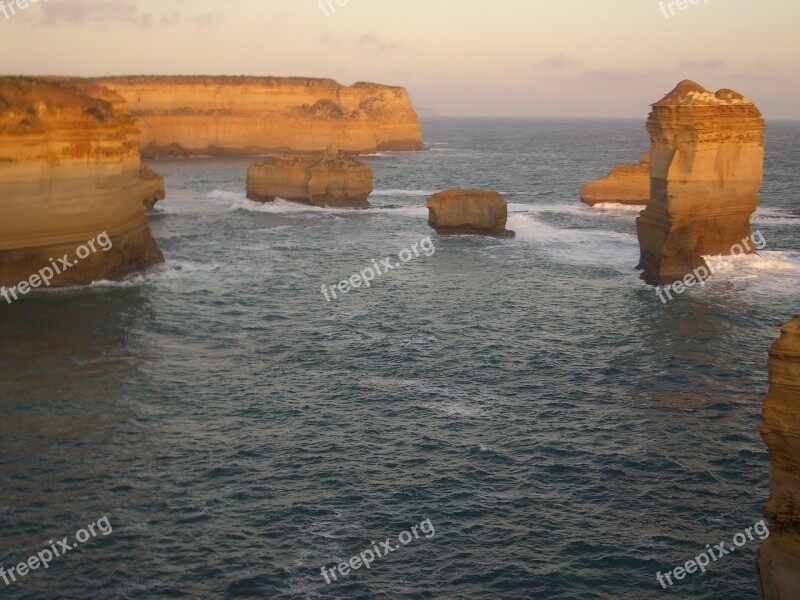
[[468, 212]]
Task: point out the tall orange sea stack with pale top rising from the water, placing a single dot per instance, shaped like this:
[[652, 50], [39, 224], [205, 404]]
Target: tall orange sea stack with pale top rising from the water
[[707, 160]]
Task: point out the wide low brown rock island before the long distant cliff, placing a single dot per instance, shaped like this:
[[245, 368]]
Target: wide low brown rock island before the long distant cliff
[[333, 179]]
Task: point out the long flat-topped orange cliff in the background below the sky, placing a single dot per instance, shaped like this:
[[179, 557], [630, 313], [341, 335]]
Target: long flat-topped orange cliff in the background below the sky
[[257, 115]]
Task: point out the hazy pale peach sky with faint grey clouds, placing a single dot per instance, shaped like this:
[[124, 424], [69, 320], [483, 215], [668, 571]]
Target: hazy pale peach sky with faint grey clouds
[[608, 58]]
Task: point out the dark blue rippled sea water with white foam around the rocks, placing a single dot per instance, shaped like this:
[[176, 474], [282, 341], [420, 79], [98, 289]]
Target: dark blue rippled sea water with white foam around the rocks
[[567, 434]]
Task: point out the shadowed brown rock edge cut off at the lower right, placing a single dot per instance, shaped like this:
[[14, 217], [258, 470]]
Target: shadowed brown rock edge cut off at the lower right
[[778, 559]]
